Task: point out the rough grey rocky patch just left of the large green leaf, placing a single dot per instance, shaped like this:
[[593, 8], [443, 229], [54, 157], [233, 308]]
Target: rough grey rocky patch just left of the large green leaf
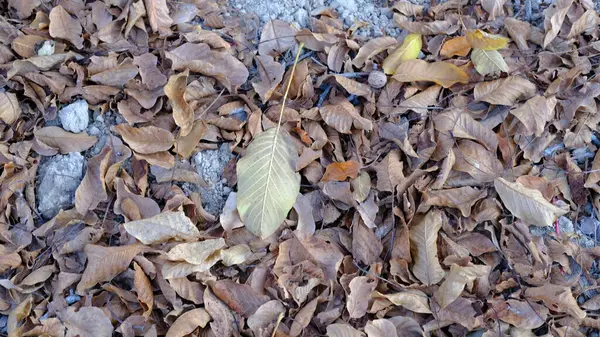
[[210, 165]]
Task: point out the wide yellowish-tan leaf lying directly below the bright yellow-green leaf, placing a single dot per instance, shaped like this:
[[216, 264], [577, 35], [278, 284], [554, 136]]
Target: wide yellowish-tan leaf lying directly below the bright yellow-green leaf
[[443, 73]]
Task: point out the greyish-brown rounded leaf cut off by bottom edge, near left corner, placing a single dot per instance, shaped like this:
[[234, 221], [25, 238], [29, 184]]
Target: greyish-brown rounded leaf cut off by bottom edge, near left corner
[[87, 322]]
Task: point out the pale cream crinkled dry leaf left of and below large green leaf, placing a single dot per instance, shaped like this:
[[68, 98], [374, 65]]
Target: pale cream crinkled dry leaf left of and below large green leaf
[[162, 228]]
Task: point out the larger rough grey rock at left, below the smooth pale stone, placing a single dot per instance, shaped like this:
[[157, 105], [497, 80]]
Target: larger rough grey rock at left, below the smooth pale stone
[[58, 179]]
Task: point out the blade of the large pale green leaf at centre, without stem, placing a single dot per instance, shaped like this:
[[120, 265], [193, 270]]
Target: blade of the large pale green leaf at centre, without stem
[[267, 182]]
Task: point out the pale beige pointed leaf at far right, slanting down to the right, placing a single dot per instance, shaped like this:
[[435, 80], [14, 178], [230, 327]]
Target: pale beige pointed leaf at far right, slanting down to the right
[[527, 204]]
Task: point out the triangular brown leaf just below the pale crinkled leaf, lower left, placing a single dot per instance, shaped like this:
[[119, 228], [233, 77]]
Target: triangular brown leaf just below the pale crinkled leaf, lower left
[[104, 263]]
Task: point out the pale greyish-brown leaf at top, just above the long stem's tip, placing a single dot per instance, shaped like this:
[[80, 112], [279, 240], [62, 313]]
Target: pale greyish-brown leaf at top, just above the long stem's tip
[[277, 36]]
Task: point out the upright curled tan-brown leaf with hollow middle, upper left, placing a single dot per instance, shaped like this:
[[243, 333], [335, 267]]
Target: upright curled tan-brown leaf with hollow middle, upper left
[[183, 113]]
